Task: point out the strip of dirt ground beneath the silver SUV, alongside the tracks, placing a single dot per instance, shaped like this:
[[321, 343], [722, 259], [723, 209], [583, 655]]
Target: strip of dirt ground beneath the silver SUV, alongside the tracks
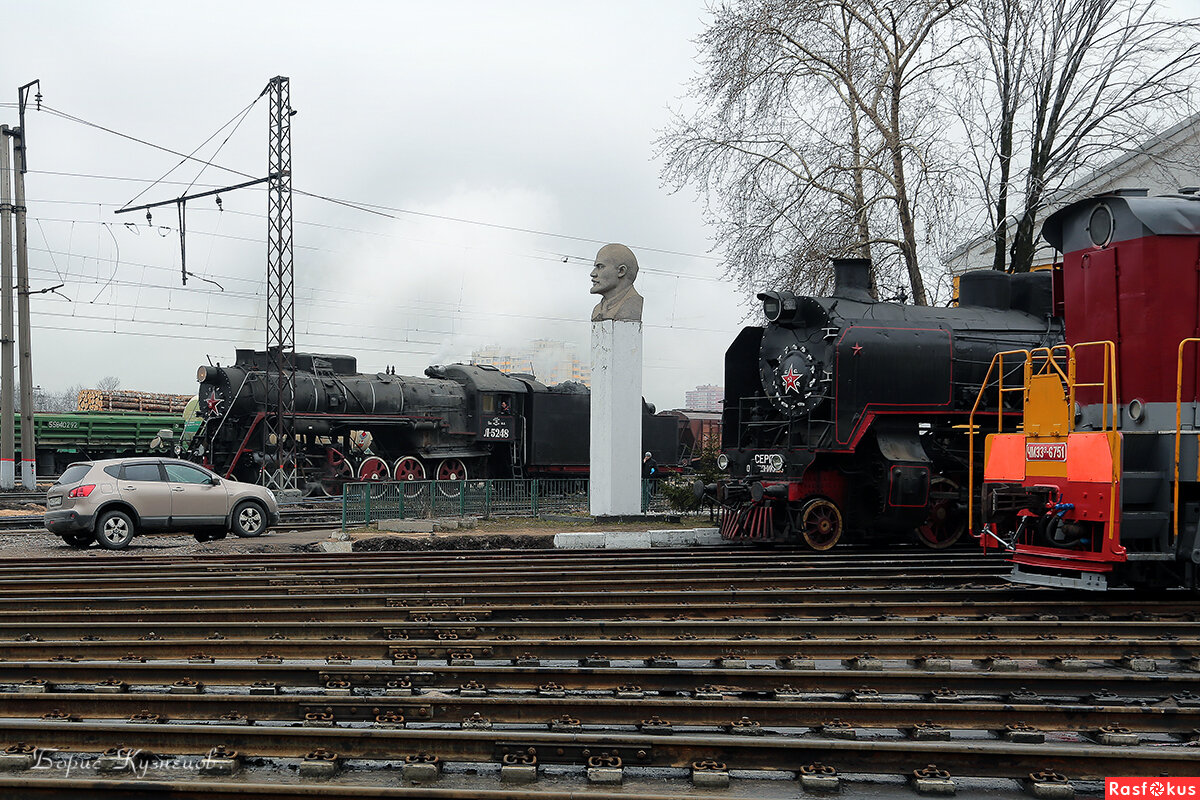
[[512, 533]]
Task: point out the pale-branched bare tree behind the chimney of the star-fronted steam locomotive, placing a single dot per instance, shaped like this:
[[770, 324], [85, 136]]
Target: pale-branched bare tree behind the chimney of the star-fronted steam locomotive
[[815, 134]]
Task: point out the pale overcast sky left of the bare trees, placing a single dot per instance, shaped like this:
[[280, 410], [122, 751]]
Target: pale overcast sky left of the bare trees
[[538, 117]]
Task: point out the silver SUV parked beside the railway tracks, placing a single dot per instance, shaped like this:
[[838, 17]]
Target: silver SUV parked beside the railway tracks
[[112, 501]]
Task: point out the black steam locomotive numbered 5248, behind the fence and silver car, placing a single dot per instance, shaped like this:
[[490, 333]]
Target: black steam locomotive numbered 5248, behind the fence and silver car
[[458, 423]]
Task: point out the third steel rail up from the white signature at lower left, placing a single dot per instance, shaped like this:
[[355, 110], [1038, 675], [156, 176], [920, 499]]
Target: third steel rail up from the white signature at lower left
[[1139, 688]]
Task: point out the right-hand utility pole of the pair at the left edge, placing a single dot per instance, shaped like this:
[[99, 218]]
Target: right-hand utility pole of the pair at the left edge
[[28, 444]]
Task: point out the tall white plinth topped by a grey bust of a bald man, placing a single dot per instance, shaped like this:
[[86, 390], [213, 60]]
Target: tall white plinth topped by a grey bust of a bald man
[[616, 470]]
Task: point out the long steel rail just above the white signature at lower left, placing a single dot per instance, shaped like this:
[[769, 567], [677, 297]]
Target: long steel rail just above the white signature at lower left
[[971, 757]]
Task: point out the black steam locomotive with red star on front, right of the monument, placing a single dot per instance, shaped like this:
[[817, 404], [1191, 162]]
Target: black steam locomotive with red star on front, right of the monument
[[849, 416]]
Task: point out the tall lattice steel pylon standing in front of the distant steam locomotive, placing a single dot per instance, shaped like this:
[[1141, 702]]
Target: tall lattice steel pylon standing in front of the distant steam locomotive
[[279, 429]]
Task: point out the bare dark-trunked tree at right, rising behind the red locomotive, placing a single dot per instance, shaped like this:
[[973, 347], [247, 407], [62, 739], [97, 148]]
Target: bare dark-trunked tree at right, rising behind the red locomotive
[[1073, 83]]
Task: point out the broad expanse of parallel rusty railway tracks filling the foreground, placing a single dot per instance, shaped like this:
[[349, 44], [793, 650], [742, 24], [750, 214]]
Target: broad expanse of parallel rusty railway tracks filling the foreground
[[469, 675]]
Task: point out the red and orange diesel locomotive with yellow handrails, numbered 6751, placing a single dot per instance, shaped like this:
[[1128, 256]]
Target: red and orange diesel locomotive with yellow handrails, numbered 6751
[[1100, 486]]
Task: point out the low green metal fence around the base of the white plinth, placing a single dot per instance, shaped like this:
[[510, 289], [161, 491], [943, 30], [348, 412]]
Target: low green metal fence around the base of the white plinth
[[371, 502]]
